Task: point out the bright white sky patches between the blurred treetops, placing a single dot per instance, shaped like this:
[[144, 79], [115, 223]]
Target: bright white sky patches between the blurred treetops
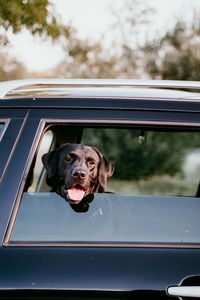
[[92, 19]]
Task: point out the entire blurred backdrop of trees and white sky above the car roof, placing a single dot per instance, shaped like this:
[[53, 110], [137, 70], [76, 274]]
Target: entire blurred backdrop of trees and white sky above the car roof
[[100, 39]]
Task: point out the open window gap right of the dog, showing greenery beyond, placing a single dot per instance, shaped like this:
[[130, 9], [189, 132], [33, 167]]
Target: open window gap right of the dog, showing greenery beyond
[[150, 162]]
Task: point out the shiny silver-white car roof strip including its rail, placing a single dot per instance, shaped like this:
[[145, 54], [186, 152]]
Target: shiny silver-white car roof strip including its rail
[[100, 88]]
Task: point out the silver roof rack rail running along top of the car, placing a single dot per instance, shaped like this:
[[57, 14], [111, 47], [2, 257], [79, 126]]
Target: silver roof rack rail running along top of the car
[[8, 86]]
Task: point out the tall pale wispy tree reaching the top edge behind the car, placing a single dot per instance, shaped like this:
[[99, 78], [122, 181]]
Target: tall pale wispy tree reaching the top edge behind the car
[[132, 20]]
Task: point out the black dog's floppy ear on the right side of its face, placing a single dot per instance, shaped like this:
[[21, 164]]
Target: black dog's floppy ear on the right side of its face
[[106, 169]]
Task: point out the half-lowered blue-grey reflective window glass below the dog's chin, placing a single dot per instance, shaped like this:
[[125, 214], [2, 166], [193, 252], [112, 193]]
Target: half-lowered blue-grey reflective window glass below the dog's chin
[[111, 218]]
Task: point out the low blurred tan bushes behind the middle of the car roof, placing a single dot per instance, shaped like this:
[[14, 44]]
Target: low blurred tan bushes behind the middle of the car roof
[[86, 59]]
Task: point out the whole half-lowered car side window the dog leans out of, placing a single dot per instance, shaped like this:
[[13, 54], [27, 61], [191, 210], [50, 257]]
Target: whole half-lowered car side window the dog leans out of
[[152, 196]]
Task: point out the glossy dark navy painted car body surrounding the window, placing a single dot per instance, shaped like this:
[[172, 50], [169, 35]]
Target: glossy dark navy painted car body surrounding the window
[[110, 271]]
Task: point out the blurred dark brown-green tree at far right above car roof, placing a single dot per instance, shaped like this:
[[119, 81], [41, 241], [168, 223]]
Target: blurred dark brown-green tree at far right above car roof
[[176, 55]]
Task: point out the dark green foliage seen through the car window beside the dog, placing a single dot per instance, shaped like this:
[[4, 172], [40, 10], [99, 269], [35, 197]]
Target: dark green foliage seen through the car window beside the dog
[[160, 153]]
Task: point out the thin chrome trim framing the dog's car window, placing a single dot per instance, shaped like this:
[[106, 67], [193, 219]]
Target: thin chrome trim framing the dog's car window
[[40, 130]]
